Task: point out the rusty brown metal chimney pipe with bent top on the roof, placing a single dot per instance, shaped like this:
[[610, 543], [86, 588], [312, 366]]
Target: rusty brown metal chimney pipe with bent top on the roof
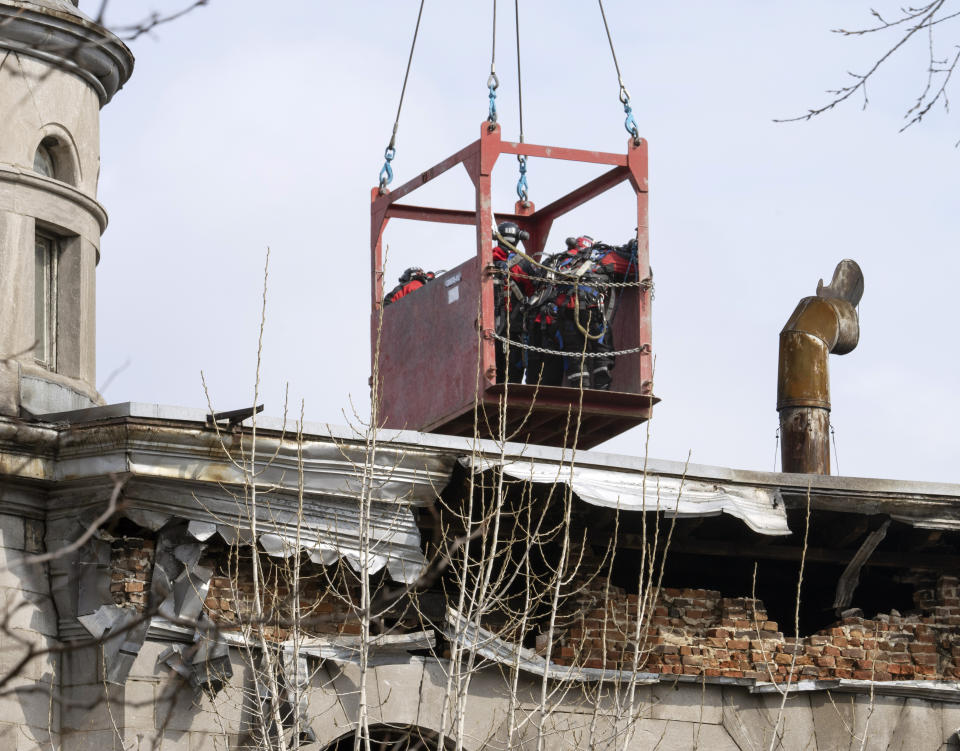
[[820, 325]]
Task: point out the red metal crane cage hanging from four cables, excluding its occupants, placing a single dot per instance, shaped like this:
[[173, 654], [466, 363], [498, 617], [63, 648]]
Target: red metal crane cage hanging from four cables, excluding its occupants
[[436, 346]]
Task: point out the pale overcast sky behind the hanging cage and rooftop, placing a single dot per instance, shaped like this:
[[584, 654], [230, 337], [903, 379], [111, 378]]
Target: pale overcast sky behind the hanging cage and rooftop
[[251, 124]]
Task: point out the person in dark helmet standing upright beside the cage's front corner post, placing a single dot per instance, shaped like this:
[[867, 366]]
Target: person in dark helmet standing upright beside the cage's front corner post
[[512, 286]]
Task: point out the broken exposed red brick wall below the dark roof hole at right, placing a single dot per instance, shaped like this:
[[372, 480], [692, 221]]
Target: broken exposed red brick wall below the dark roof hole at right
[[696, 631]]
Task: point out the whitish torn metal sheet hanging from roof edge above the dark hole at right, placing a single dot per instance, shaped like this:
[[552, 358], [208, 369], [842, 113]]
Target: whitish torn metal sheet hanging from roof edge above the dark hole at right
[[761, 509]]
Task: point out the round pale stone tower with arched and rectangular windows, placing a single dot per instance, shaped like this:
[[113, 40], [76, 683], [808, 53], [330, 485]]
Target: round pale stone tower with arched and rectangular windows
[[57, 69]]
